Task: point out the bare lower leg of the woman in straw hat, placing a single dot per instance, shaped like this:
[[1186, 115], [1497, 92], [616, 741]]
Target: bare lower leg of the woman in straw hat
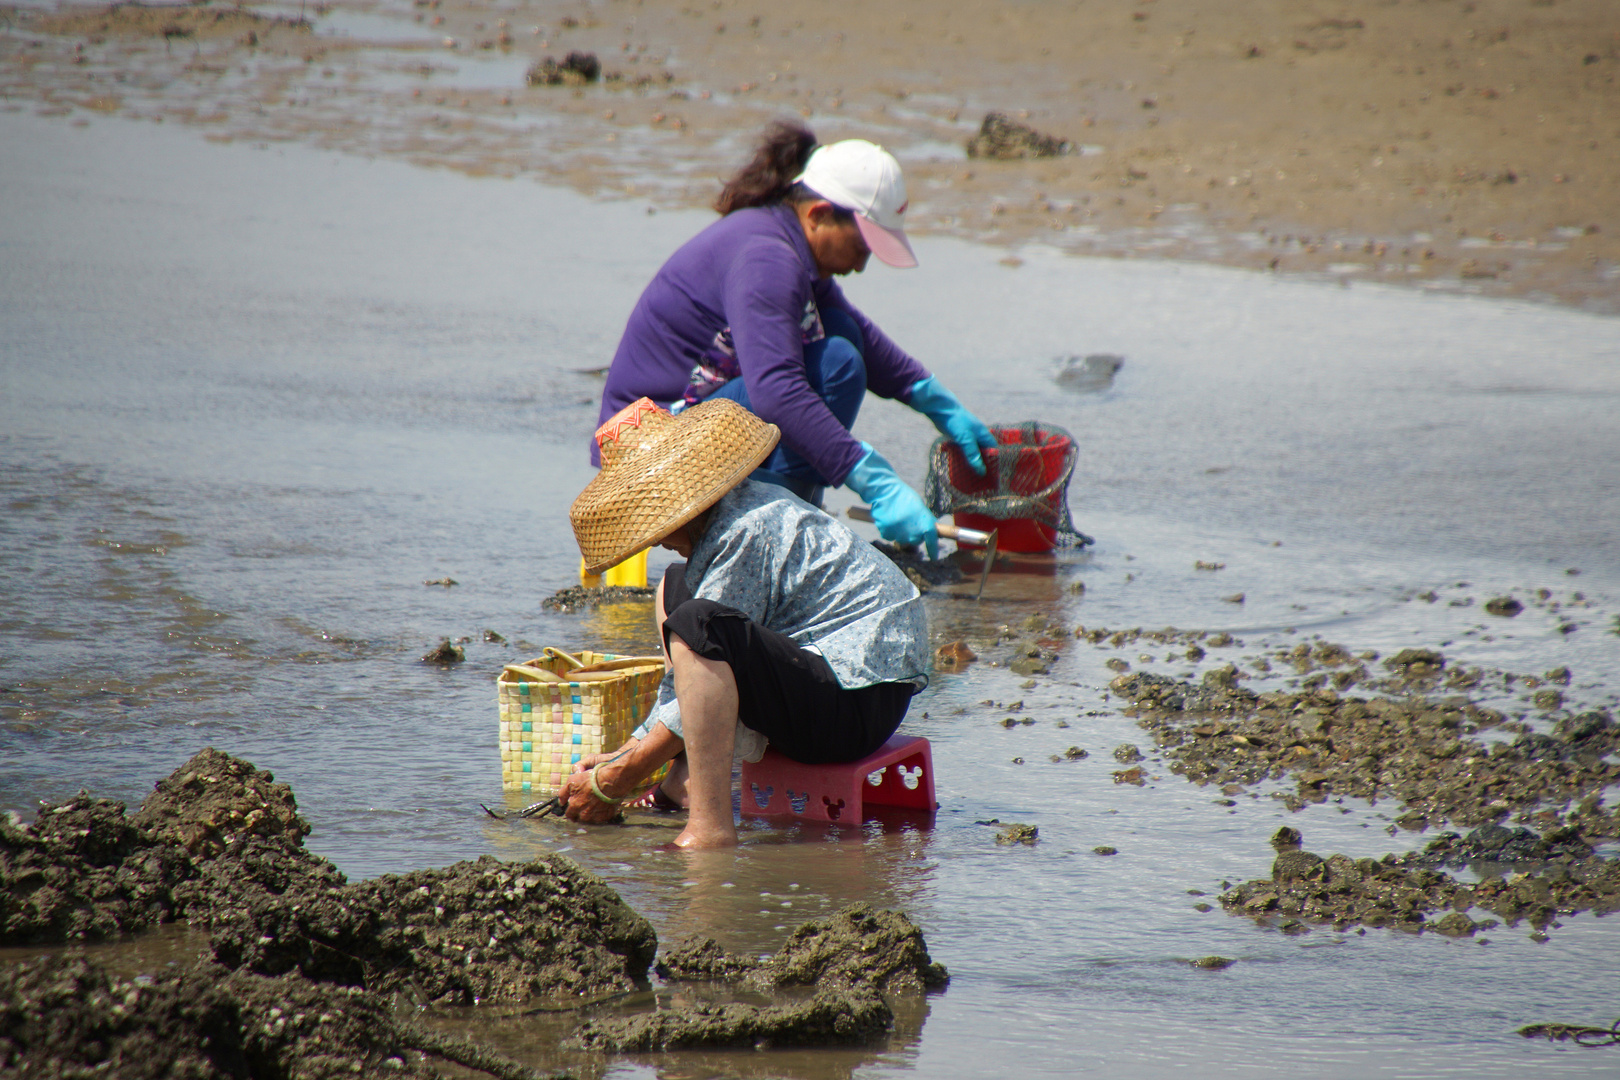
[[709, 718]]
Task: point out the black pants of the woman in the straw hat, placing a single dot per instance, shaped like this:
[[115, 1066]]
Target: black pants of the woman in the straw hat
[[785, 692]]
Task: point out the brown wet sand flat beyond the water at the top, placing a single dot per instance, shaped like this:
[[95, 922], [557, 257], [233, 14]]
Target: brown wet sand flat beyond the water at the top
[[1456, 145]]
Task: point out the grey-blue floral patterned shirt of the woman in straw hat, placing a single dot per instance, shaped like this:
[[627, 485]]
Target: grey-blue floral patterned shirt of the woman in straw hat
[[796, 571]]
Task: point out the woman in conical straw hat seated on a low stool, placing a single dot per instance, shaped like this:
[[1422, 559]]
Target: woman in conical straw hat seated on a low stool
[[782, 627]]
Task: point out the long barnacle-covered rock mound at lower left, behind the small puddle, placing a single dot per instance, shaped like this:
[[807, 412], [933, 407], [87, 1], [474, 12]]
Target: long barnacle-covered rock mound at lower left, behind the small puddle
[[221, 844]]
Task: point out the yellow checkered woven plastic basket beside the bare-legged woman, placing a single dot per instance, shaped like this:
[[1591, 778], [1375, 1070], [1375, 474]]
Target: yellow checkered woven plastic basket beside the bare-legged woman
[[561, 707]]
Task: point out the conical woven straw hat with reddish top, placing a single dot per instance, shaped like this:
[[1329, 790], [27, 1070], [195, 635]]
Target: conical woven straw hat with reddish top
[[660, 472]]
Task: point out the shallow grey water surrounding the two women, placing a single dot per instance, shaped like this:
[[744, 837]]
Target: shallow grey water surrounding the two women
[[250, 401]]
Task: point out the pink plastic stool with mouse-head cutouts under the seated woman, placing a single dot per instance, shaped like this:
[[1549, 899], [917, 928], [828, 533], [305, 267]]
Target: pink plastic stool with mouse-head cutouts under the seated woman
[[898, 775]]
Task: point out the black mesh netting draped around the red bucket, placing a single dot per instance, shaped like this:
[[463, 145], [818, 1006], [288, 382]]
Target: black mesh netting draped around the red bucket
[[1026, 477]]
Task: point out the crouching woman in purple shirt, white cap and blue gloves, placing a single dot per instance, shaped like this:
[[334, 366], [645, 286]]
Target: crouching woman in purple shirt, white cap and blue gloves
[[749, 310]]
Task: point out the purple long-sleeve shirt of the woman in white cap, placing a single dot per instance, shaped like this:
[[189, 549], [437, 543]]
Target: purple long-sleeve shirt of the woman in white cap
[[752, 274]]
